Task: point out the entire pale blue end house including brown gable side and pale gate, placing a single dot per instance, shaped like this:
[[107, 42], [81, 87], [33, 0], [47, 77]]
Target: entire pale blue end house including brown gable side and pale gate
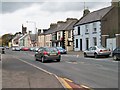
[[101, 27]]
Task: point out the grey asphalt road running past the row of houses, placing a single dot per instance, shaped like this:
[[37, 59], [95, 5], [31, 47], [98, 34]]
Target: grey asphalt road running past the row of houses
[[94, 73]]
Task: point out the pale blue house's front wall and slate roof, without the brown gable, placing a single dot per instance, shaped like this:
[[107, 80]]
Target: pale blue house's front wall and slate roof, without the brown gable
[[87, 31]]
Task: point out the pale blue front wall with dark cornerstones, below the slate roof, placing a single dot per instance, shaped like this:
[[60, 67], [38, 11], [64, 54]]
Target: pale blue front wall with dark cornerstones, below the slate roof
[[87, 35]]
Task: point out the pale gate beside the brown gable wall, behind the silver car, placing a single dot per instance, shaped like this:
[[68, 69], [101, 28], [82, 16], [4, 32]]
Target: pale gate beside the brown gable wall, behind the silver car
[[111, 43]]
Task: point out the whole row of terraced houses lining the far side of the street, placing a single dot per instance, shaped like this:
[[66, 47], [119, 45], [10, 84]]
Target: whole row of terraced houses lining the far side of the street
[[101, 27]]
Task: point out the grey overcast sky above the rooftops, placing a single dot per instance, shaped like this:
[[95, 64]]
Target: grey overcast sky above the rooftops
[[14, 13]]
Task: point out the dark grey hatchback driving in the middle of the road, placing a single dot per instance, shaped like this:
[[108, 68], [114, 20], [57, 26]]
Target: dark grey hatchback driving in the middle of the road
[[47, 53]]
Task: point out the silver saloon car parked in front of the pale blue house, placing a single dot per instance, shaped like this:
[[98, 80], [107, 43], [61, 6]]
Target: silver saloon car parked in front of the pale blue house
[[97, 51]]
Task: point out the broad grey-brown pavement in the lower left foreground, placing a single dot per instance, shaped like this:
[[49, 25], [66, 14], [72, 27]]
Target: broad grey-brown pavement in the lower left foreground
[[17, 74]]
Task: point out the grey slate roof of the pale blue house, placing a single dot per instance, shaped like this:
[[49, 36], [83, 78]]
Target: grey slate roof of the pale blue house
[[94, 16]]
